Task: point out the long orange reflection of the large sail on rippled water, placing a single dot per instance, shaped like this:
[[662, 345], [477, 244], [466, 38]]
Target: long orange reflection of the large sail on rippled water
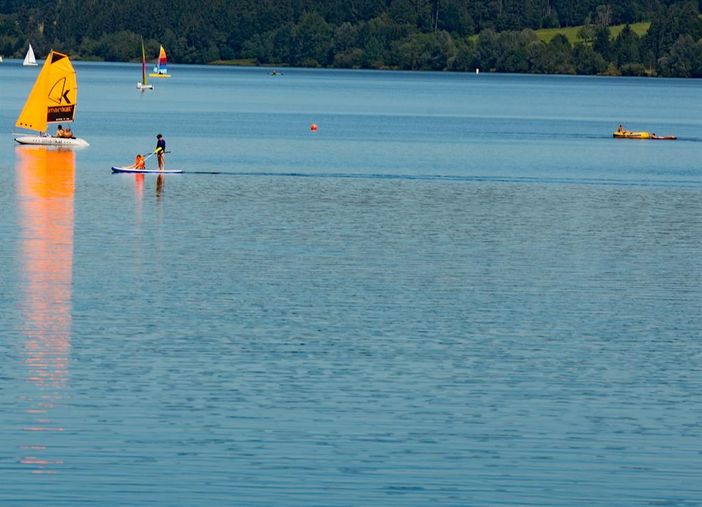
[[45, 191]]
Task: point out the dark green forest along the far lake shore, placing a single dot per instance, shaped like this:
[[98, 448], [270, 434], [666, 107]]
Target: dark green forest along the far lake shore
[[444, 35]]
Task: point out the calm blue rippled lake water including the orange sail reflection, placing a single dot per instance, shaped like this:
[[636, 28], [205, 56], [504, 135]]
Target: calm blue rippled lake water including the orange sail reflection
[[459, 291]]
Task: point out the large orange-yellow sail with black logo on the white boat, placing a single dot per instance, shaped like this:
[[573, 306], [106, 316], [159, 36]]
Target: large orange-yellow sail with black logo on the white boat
[[54, 95]]
